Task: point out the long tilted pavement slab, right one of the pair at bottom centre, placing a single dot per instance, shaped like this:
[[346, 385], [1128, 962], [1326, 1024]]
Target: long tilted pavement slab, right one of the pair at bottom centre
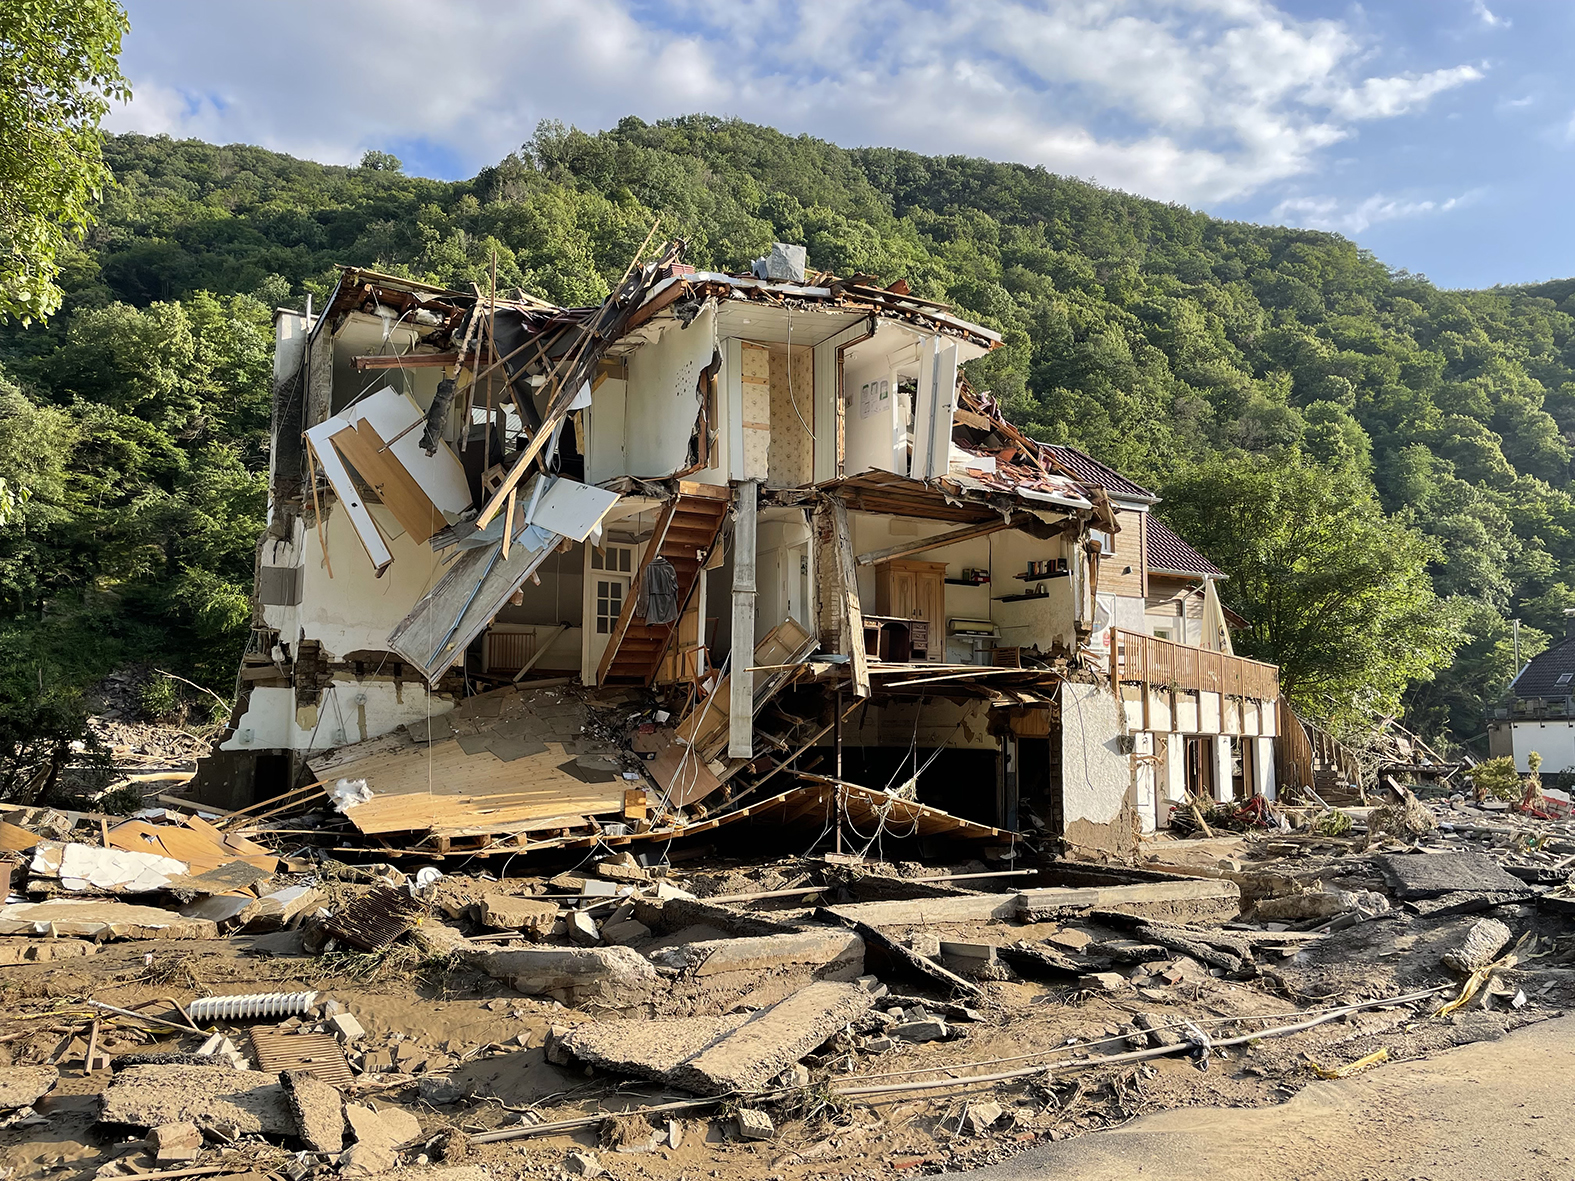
[[774, 1040]]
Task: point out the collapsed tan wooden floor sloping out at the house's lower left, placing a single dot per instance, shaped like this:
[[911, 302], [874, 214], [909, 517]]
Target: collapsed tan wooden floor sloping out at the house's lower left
[[500, 763]]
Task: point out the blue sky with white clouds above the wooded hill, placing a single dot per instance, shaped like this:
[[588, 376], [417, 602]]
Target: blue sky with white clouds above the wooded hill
[[1440, 135]]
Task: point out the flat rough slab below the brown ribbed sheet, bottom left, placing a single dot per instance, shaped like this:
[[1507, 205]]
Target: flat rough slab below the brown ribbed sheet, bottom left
[[209, 1097]]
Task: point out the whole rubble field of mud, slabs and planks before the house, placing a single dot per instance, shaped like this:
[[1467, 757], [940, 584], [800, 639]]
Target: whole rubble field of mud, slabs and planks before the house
[[793, 1018]]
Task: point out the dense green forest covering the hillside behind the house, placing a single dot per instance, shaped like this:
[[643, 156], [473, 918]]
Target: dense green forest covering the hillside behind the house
[[1382, 467]]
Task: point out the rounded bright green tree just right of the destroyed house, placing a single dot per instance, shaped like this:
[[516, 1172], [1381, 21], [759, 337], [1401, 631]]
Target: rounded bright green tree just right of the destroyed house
[[1333, 591]]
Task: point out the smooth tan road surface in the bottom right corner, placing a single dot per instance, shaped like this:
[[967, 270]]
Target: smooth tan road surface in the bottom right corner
[[1495, 1109]]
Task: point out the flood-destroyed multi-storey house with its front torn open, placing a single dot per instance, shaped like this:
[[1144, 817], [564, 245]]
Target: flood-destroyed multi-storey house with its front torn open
[[724, 547]]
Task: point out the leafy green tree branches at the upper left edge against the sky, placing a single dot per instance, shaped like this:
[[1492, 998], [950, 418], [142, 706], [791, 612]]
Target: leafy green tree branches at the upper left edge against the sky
[[59, 75]]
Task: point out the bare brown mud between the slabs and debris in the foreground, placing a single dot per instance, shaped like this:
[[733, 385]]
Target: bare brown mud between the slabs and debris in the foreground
[[437, 1020]]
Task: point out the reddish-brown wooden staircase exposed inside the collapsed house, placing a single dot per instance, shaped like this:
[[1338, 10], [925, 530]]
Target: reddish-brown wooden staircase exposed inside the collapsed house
[[687, 533]]
